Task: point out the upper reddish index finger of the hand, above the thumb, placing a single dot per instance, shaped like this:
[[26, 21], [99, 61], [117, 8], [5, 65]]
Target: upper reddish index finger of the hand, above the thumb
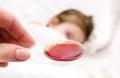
[[11, 24]]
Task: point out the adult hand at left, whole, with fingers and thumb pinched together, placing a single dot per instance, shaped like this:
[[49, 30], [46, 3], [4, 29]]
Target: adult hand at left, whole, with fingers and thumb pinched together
[[13, 39]]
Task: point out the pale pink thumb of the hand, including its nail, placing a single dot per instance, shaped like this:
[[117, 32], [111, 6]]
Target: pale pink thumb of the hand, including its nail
[[11, 53]]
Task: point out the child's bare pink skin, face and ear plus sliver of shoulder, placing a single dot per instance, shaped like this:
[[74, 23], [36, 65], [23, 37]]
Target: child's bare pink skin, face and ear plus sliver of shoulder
[[67, 29]]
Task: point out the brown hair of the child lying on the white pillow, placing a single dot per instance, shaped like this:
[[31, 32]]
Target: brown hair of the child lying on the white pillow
[[77, 18]]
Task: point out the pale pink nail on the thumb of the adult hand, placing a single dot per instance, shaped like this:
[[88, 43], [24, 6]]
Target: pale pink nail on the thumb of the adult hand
[[22, 54]]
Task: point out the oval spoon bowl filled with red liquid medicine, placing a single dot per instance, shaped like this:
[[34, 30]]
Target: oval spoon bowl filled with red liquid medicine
[[64, 51]]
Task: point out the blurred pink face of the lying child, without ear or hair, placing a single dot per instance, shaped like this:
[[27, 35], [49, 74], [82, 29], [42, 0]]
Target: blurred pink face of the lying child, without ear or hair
[[70, 31]]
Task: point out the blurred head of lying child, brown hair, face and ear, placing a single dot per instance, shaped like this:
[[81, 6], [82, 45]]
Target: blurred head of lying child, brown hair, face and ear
[[73, 25]]
